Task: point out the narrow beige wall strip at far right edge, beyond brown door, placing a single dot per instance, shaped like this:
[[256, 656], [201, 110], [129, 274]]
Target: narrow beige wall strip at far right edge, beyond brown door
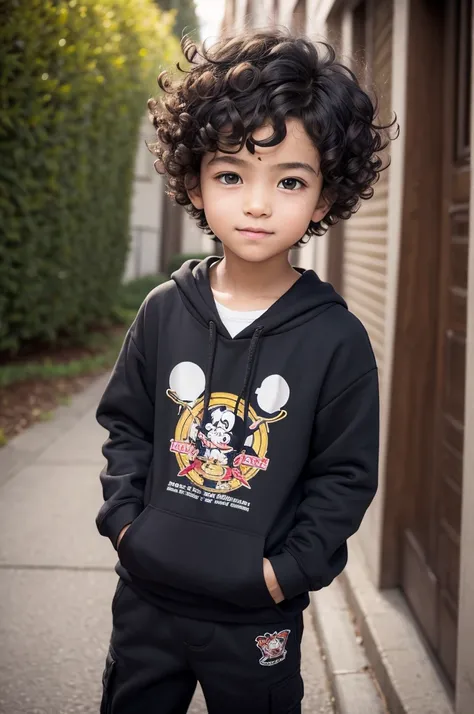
[[465, 674]]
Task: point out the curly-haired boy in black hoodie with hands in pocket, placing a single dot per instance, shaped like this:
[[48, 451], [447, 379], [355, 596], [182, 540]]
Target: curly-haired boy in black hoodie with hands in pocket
[[243, 408]]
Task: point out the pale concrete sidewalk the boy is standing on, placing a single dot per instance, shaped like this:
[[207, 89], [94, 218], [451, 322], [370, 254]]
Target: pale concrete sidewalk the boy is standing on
[[57, 577]]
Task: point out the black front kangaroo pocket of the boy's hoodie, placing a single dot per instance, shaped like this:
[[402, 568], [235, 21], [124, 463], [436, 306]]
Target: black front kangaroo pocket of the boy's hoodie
[[196, 556]]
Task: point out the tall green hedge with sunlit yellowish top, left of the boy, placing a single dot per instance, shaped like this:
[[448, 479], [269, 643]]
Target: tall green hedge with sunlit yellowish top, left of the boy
[[74, 80]]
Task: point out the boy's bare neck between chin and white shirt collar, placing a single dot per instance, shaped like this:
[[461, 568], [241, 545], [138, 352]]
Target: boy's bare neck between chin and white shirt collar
[[238, 277]]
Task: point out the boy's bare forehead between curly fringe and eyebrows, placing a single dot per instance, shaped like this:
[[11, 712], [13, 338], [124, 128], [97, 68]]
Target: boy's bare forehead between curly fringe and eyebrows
[[296, 146]]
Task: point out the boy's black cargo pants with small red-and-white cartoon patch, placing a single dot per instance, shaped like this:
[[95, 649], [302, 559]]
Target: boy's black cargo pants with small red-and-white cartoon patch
[[156, 658]]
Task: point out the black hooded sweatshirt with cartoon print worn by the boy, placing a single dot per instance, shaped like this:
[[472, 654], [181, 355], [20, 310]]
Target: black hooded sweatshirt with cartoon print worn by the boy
[[225, 451]]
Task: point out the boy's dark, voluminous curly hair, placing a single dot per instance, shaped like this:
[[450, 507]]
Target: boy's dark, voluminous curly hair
[[236, 85]]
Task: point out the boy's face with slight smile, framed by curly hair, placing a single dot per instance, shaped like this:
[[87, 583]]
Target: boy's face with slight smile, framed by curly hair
[[243, 190]]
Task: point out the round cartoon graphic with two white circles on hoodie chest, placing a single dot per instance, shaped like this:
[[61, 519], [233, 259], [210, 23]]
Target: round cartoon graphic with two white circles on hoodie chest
[[207, 445]]
